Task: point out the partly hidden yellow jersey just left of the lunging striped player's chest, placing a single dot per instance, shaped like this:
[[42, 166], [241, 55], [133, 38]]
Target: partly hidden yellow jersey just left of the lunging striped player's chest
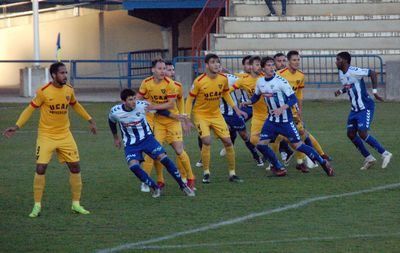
[[248, 84]]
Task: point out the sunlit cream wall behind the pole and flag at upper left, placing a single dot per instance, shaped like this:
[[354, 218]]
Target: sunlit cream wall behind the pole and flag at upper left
[[91, 35]]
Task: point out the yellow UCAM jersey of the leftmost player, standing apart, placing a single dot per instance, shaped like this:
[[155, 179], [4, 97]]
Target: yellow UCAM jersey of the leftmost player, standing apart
[[54, 103]]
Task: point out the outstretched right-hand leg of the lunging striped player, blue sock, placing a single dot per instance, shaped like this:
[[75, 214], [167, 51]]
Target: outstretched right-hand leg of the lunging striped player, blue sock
[[290, 131]]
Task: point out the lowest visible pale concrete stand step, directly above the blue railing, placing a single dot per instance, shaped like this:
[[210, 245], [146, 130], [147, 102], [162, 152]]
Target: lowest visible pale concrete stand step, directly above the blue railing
[[350, 40]]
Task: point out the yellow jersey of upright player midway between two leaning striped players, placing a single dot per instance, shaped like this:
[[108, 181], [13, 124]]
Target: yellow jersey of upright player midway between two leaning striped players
[[207, 93]]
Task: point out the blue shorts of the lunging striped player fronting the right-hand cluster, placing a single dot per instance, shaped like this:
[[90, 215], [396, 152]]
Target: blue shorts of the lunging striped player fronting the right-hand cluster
[[271, 130]]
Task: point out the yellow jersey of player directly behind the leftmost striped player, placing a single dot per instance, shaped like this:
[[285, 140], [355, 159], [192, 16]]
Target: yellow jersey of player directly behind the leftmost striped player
[[159, 93]]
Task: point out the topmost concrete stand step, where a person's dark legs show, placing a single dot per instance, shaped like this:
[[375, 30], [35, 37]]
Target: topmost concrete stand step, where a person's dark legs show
[[317, 7]]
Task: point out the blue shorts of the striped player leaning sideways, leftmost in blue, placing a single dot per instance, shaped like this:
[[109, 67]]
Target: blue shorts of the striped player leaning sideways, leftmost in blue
[[149, 145]]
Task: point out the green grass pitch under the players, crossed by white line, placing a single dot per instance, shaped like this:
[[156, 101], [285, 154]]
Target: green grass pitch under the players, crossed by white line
[[121, 214]]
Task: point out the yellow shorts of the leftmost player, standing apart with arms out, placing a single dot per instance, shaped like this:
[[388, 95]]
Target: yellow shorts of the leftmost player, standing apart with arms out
[[66, 149]]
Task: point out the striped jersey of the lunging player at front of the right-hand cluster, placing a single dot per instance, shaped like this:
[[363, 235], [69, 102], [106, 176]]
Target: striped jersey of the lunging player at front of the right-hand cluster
[[275, 91]]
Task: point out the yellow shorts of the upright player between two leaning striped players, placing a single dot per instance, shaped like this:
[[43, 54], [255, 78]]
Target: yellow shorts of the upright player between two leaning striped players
[[218, 124]]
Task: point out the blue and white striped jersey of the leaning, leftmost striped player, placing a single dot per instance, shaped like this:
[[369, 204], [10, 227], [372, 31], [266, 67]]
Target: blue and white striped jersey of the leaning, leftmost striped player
[[133, 125]]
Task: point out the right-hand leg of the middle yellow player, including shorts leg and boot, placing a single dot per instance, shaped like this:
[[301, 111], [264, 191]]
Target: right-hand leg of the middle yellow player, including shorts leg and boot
[[221, 130]]
